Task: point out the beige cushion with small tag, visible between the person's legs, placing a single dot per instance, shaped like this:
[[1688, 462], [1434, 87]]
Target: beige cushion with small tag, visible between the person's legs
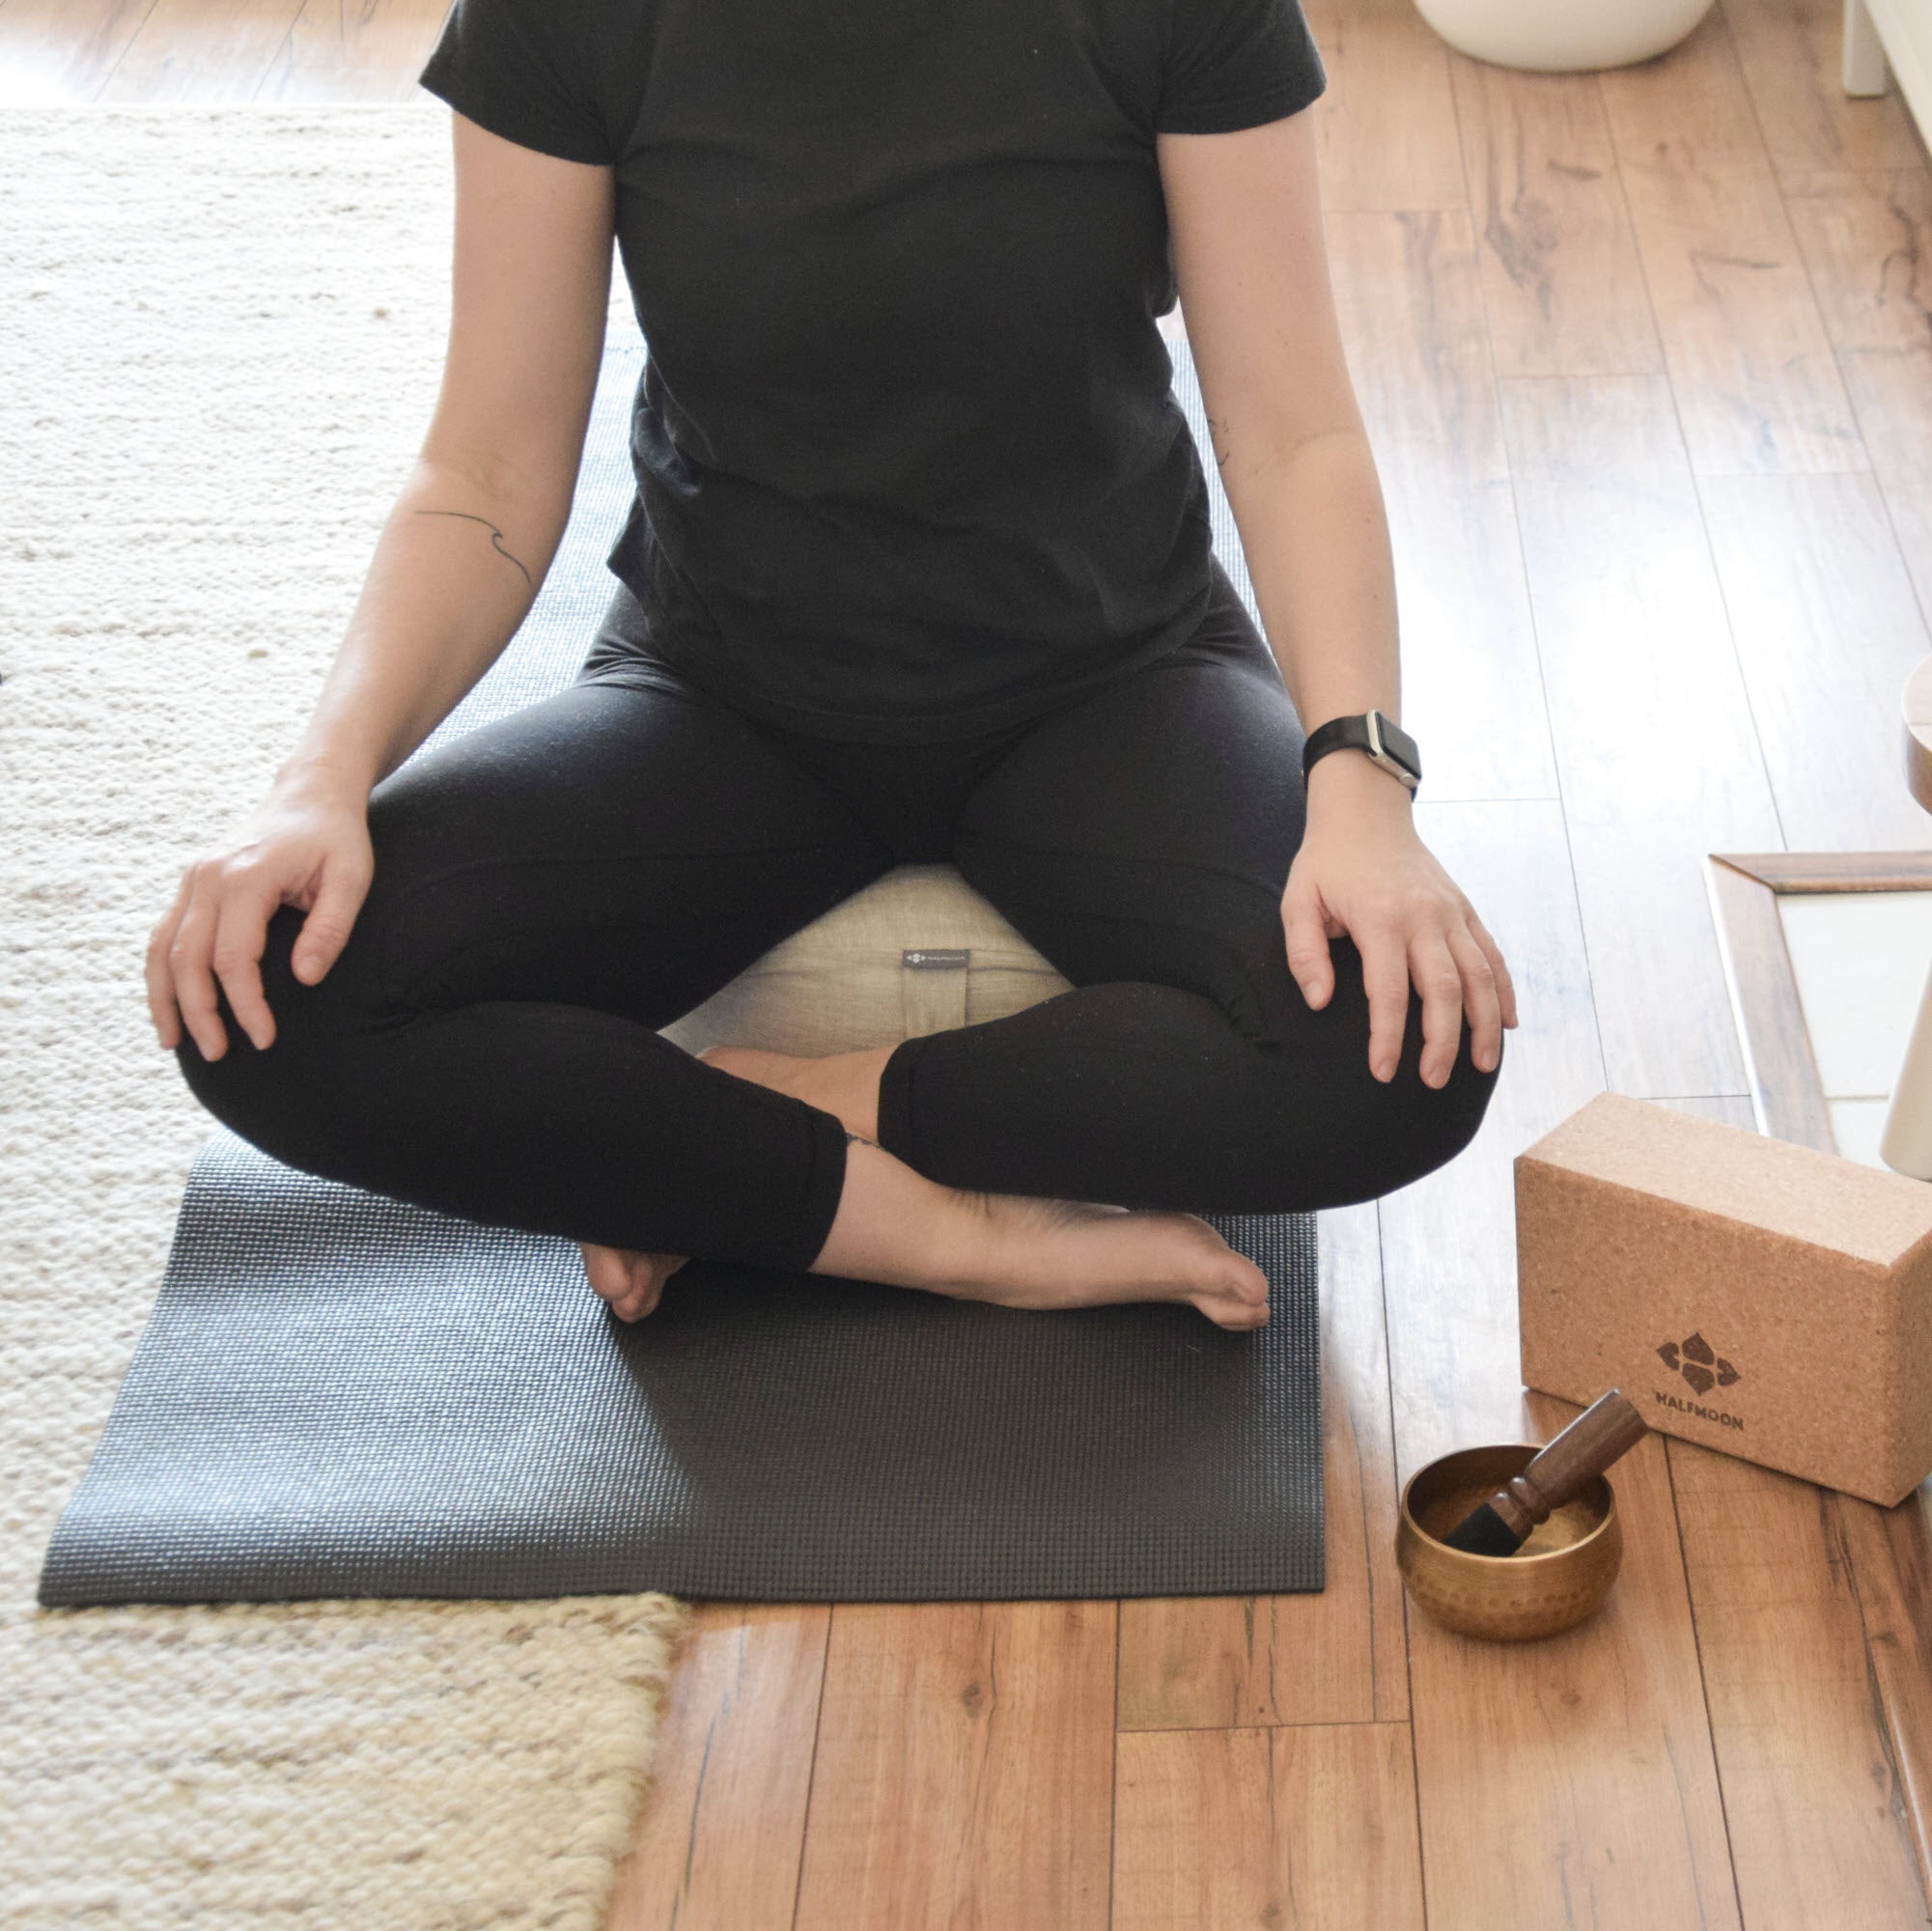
[[915, 953]]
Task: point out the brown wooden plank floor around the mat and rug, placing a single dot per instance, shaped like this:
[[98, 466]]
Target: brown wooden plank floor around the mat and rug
[[1647, 360]]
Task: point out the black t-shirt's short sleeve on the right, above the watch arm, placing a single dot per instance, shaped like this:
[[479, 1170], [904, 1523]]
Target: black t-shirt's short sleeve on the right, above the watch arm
[[1237, 65]]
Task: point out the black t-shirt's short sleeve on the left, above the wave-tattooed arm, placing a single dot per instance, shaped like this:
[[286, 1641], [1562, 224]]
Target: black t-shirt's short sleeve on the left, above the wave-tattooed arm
[[521, 69]]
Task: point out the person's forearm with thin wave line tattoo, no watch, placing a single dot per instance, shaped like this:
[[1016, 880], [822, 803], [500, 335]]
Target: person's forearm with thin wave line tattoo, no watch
[[455, 573]]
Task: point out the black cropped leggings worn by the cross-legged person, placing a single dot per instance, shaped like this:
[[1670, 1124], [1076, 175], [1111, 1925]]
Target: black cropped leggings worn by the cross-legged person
[[557, 885]]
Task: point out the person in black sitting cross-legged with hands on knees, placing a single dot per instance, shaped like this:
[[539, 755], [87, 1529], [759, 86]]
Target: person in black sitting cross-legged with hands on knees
[[917, 571]]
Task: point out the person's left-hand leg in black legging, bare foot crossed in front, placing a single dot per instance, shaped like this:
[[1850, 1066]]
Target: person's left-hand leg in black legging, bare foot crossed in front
[[550, 891]]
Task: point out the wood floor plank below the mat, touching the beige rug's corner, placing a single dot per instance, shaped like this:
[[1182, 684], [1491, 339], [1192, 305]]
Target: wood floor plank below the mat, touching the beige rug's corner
[[724, 1826]]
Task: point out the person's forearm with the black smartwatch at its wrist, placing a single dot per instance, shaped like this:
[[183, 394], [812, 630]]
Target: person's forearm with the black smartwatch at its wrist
[[1317, 540]]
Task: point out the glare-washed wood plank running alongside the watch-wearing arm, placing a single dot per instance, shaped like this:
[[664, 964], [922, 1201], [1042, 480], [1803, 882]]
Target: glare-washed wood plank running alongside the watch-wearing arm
[[1409, 298]]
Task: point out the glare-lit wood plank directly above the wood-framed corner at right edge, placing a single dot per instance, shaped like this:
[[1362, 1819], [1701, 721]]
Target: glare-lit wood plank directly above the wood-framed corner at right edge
[[1829, 632]]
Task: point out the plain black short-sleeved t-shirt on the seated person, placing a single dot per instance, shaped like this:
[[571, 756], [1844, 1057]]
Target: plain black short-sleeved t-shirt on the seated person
[[909, 462]]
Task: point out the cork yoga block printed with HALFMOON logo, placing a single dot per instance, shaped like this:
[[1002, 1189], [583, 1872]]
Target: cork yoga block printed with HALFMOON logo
[[1746, 1293]]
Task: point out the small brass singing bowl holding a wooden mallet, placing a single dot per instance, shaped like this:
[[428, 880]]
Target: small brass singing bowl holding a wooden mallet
[[1554, 1582]]
